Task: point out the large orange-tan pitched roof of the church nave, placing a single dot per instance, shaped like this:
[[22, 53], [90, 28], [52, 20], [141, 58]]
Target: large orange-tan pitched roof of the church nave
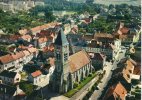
[[78, 60]]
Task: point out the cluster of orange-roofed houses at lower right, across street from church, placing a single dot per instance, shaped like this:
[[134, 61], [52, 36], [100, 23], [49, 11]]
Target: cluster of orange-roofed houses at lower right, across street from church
[[124, 79]]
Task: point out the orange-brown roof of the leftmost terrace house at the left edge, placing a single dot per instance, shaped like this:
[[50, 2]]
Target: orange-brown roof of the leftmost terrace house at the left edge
[[6, 59]]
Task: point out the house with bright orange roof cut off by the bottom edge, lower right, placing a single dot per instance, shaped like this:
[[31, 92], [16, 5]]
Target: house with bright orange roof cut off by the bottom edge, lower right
[[116, 92]]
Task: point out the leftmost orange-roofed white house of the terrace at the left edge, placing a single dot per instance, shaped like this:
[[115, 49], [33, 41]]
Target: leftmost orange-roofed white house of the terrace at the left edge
[[7, 62]]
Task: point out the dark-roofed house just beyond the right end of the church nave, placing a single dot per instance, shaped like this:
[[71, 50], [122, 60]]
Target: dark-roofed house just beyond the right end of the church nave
[[98, 60]]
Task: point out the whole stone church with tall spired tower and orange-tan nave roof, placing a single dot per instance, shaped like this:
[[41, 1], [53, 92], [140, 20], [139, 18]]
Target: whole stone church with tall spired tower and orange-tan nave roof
[[69, 69]]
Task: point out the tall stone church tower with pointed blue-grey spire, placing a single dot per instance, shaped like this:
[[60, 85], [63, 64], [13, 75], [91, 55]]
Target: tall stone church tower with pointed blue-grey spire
[[61, 73]]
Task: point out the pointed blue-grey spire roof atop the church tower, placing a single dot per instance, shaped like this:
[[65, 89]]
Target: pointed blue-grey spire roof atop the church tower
[[61, 38]]
